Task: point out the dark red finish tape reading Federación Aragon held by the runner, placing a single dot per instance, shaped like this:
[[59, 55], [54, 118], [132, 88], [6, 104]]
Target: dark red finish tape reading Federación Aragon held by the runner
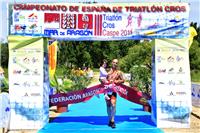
[[87, 93]]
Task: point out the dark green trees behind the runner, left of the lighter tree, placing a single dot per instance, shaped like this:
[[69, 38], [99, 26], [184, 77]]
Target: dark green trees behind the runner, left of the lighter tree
[[88, 53]]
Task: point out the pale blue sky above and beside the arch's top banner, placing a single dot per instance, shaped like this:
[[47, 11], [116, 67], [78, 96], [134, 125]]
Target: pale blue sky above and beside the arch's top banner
[[194, 9]]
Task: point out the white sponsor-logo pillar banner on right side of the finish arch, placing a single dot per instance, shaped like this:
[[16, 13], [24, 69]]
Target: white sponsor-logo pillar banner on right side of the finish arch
[[172, 98]]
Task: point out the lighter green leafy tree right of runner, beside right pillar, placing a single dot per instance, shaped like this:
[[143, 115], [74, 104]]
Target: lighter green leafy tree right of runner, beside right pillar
[[138, 63]]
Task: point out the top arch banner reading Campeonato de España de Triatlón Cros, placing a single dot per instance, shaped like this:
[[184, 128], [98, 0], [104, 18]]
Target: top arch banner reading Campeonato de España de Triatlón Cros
[[115, 21]]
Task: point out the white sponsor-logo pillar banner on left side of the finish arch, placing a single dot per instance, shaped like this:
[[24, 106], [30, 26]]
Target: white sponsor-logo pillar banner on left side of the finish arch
[[26, 82]]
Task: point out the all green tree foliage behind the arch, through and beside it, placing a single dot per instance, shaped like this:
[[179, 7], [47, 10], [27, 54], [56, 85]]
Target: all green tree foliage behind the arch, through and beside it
[[134, 57]]
